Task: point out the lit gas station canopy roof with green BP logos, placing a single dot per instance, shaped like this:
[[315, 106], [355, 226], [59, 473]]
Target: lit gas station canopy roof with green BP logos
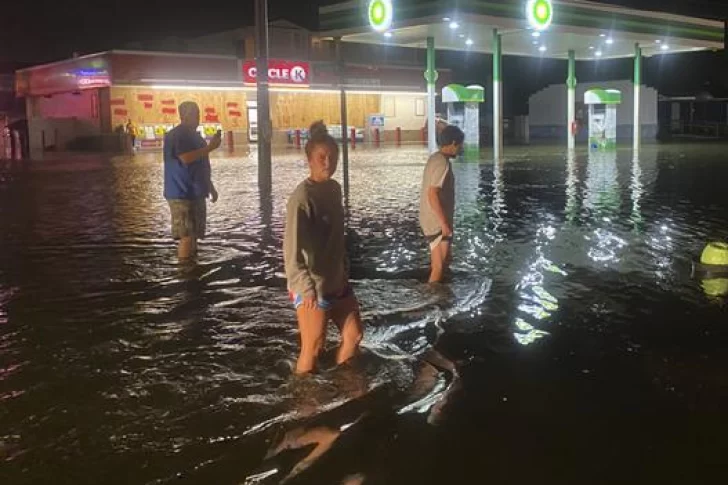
[[592, 30]]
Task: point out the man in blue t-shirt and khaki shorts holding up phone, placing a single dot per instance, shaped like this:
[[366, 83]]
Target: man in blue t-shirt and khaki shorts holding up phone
[[187, 179]]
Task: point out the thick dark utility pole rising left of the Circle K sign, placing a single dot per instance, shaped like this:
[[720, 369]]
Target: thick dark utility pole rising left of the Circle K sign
[[265, 175]]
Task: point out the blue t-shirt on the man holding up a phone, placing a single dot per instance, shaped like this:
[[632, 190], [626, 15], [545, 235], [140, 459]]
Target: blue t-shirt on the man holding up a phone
[[185, 181]]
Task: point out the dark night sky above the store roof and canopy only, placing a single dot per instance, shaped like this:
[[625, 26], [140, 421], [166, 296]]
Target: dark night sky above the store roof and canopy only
[[44, 30]]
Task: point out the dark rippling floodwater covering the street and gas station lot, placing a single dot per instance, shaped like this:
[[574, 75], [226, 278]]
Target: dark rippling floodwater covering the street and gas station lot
[[586, 351]]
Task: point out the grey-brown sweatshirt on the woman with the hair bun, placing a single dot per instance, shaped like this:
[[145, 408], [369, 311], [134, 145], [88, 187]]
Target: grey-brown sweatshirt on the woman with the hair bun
[[314, 250]]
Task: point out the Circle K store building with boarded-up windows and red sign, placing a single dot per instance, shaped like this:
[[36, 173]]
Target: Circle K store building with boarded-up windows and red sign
[[84, 99]]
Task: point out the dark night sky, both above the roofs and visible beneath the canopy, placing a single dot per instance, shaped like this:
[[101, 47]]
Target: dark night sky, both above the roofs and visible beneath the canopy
[[42, 31]]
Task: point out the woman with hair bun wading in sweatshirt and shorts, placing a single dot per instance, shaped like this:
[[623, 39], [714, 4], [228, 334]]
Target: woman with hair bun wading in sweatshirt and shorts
[[315, 256]]
